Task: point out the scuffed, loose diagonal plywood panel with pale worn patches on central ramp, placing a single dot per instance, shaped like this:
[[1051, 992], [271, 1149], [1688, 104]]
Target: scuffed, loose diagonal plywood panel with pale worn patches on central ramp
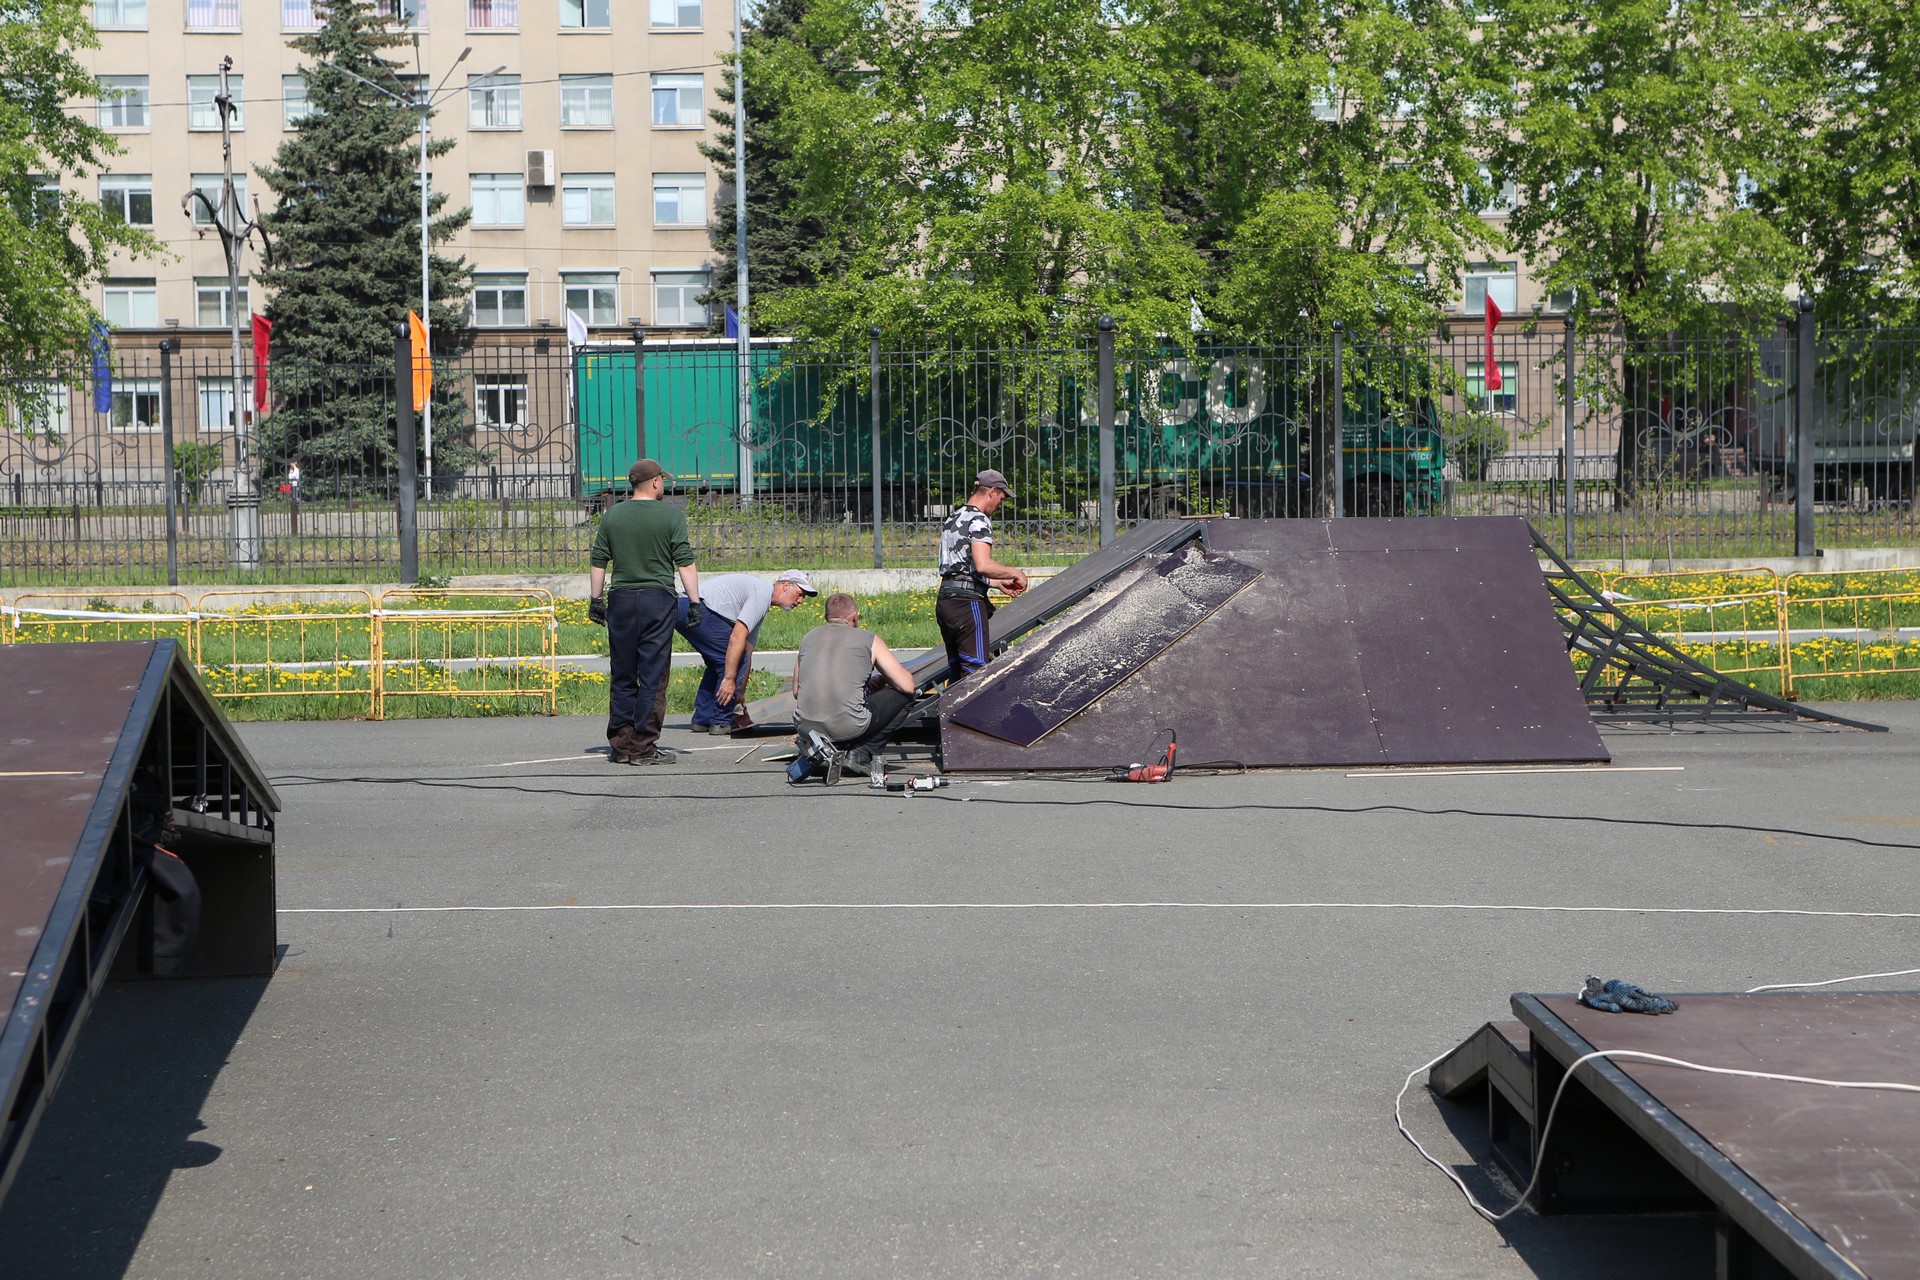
[[1040, 688]]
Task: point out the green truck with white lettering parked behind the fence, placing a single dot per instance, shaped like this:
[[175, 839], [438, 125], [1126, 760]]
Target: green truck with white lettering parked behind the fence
[[1195, 435]]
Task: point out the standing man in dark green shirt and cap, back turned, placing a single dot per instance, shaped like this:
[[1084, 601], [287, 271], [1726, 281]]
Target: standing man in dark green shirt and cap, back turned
[[646, 544]]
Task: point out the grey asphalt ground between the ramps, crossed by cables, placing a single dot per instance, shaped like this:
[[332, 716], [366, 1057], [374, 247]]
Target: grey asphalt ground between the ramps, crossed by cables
[[1011, 1028]]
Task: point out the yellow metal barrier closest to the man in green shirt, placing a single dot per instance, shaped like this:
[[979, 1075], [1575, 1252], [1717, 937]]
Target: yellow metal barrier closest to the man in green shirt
[[479, 646]]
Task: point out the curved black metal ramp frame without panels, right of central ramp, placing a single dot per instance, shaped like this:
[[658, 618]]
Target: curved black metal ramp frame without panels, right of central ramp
[[1635, 676]]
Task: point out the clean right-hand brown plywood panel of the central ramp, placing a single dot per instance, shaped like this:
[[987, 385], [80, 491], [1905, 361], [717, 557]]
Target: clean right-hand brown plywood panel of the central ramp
[[1464, 659]]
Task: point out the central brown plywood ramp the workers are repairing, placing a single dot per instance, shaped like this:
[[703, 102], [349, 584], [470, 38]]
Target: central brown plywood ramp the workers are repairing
[[1295, 644]]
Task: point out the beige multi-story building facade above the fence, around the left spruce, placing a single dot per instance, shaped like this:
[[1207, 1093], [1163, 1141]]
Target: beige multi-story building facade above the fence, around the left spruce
[[579, 156]]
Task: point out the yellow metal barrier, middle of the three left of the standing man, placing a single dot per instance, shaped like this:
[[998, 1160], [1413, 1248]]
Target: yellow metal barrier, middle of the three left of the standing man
[[320, 642]]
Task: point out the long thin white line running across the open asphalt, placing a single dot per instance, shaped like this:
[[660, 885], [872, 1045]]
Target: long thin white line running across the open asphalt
[[1090, 907]]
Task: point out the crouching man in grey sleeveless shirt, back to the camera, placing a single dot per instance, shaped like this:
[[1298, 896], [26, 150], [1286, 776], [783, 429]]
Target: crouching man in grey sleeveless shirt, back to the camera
[[848, 690]]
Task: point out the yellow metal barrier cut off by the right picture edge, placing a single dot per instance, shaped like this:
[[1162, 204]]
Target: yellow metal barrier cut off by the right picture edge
[[1856, 636]]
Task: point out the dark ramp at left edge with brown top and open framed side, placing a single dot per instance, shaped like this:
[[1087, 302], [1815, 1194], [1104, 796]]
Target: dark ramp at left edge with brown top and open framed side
[[97, 746]]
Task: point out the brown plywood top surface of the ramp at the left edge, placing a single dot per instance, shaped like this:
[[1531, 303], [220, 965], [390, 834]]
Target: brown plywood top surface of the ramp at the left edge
[[62, 711]]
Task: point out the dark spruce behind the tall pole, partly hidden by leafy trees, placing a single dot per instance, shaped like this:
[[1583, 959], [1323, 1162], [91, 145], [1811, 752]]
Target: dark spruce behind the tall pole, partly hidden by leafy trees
[[786, 247]]
